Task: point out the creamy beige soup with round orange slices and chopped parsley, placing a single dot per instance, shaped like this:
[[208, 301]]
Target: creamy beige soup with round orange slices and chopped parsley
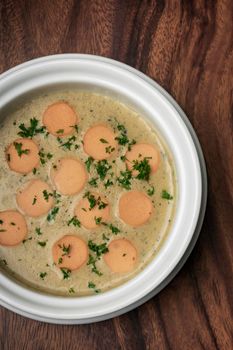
[[87, 192]]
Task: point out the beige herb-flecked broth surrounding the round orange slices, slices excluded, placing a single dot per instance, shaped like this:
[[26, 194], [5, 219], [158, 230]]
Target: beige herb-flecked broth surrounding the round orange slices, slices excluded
[[31, 261]]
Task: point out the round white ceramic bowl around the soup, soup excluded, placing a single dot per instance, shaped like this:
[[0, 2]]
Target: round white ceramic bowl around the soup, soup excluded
[[135, 89]]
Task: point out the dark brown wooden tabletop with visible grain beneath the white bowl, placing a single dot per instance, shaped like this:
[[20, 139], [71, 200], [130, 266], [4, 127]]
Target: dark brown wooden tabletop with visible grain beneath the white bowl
[[187, 47]]
